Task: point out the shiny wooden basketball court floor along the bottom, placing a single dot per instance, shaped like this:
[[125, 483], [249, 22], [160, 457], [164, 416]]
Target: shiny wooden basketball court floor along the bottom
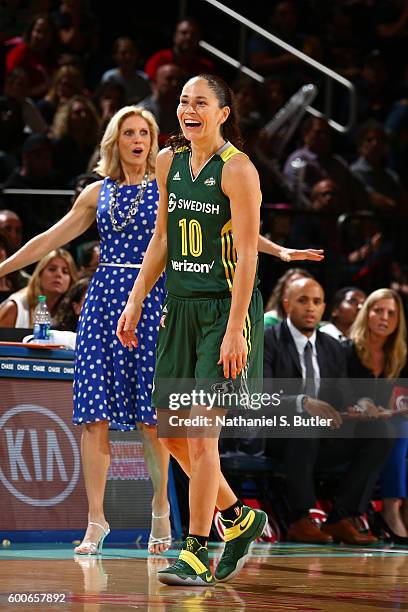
[[276, 577]]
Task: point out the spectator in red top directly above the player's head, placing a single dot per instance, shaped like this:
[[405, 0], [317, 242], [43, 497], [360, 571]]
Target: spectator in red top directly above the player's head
[[185, 52]]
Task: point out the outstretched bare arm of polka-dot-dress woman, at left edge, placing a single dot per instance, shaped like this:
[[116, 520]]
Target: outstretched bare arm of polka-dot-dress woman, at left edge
[[73, 224]]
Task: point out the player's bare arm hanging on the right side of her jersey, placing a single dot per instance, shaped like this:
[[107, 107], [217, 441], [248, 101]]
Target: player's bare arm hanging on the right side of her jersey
[[240, 183]]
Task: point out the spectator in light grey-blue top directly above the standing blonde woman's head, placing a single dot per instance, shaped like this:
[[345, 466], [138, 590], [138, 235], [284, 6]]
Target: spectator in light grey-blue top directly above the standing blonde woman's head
[[135, 82]]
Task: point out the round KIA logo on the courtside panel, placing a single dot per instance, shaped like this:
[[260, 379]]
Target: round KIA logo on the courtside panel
[[42, 455]]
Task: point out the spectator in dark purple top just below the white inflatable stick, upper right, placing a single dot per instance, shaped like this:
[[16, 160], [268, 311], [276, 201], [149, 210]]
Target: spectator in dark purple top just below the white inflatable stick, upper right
[[320, 163]]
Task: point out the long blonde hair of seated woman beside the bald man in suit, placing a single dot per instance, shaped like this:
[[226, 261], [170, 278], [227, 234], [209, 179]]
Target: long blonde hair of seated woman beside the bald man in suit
[[395, 348]]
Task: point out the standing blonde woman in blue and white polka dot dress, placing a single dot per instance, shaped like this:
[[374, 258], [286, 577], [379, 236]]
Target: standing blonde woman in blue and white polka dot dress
[[112, 386]]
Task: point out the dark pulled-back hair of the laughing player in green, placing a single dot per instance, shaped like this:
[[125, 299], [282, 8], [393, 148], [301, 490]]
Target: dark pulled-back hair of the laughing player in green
[[230, 128]]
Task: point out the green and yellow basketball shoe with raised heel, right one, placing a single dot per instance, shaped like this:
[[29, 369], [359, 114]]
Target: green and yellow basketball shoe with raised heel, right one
[[238, 536]]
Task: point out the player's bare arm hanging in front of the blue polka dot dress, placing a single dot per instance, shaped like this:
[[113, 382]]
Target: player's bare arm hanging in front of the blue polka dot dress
[[154, 260]]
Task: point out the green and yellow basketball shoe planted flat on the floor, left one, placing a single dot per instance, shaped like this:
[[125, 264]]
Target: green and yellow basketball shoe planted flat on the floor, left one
[[192, 568]]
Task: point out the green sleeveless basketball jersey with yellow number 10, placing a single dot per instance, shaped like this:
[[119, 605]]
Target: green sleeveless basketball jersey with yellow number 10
[[201, 257]]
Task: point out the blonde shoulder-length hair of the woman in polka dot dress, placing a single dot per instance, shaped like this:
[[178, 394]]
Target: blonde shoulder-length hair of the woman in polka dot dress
[[109, 163]]
